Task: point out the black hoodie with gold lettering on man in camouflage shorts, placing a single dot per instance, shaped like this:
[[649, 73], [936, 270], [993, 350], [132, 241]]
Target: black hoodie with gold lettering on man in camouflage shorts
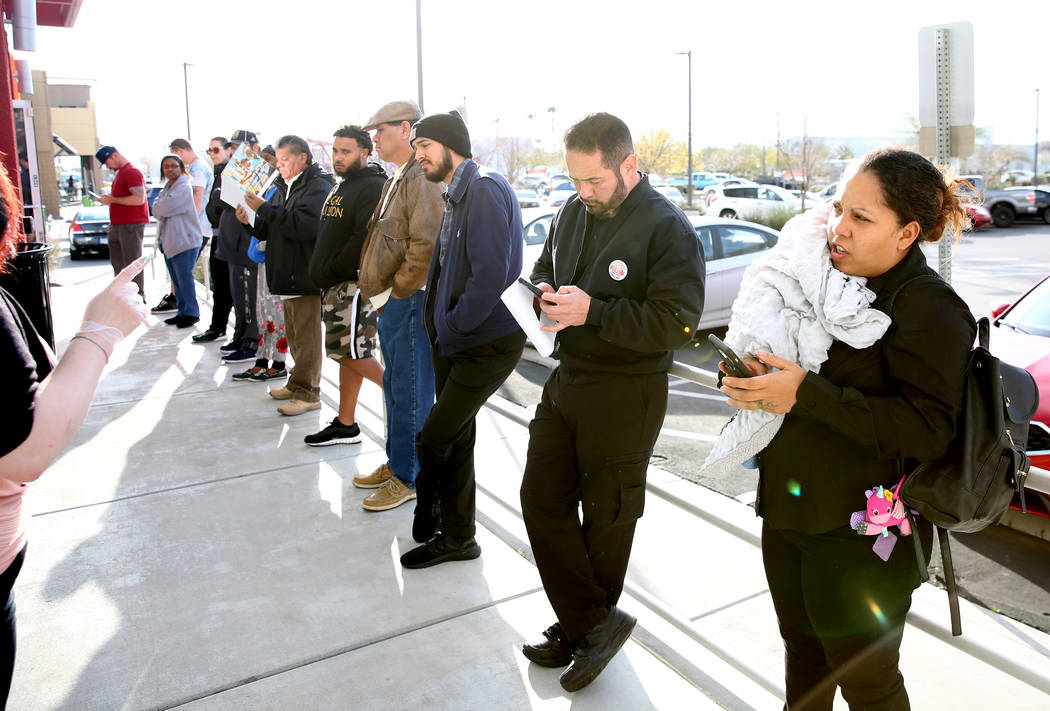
[[345, 224]]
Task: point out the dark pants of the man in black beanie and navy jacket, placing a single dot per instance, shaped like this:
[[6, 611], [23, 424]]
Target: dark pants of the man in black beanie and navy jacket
[[464, 382]]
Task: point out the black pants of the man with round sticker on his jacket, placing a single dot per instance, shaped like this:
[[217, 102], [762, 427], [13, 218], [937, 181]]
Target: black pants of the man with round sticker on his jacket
[[591, 445]]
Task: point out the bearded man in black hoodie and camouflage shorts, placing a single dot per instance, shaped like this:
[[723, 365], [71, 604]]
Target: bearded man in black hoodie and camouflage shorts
[[350, 321]]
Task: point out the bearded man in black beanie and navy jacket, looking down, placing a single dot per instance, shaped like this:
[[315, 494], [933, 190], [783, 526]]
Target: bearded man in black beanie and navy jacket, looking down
[[475, 342]]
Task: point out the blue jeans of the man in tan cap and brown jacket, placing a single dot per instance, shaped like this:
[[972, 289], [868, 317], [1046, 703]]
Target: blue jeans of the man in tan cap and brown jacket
[[408, 382]]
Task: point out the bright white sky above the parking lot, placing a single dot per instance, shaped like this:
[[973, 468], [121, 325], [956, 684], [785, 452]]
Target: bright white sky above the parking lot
[[848, 69]]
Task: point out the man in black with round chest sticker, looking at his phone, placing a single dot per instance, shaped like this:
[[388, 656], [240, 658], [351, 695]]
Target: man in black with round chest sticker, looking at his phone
[[623, 277]]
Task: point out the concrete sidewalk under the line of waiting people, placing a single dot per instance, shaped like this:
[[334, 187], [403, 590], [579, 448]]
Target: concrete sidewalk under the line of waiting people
[[190, 552]]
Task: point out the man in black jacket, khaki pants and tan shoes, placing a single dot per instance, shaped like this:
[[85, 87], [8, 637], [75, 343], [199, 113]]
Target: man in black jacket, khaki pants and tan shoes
[[288, 223]]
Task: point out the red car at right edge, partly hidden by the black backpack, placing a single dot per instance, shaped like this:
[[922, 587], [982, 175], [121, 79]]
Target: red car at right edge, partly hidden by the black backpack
[[1021, 337]]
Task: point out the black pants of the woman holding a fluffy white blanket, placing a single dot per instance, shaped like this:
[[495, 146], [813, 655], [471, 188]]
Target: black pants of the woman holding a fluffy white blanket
[[842, 613]]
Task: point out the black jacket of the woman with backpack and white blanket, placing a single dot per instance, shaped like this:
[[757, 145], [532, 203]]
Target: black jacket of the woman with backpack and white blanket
[[872, 413]]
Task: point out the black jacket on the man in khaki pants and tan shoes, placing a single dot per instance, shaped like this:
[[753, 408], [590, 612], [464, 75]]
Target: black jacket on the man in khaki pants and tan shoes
[[289, 227]]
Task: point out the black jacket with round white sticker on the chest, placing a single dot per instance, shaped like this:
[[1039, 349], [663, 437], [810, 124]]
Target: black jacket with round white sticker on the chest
[[646, 283]]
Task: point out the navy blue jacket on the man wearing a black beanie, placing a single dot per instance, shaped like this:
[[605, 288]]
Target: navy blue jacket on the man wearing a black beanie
[[482, 259]]
